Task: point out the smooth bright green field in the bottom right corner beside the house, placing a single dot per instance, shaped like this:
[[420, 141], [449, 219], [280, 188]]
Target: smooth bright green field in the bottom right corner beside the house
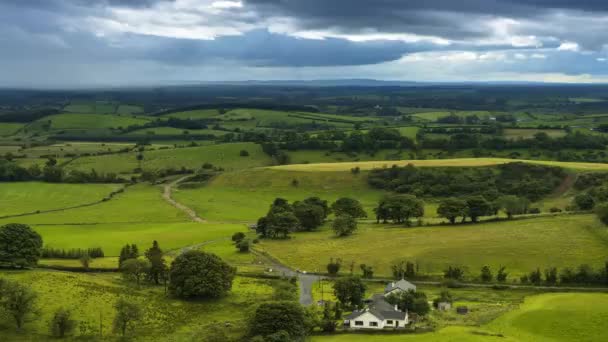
[[546, 317]]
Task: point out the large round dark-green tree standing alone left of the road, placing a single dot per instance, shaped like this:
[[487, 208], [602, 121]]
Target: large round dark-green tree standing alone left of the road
[[197, 274]]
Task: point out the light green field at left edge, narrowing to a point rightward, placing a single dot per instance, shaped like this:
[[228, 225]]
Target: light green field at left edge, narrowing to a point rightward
[[26, 197]]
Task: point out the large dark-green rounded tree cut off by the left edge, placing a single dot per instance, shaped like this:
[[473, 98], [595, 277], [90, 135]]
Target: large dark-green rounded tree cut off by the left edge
[[20, 245]]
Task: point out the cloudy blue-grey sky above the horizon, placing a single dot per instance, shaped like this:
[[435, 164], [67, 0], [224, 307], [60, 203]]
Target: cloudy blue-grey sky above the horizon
[[84, 43]]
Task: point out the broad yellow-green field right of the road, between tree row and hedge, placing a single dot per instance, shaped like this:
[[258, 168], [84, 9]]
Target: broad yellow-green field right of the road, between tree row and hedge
[[521, 246]]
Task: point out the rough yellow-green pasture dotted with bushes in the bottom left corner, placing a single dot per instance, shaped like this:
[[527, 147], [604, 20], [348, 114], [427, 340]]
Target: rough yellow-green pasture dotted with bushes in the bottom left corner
[[92, 296]]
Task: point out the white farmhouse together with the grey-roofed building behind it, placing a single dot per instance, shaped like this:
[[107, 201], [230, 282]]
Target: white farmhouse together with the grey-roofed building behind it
[[380, 314]]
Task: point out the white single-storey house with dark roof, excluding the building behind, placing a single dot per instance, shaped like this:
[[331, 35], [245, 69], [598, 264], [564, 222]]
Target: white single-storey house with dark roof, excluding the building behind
[[379, 315]]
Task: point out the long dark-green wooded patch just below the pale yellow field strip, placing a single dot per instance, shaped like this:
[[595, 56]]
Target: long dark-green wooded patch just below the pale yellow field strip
[[521, 179]]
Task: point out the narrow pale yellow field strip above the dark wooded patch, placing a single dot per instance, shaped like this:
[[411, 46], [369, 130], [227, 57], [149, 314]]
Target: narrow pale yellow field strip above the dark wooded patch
[[460, 162]]
